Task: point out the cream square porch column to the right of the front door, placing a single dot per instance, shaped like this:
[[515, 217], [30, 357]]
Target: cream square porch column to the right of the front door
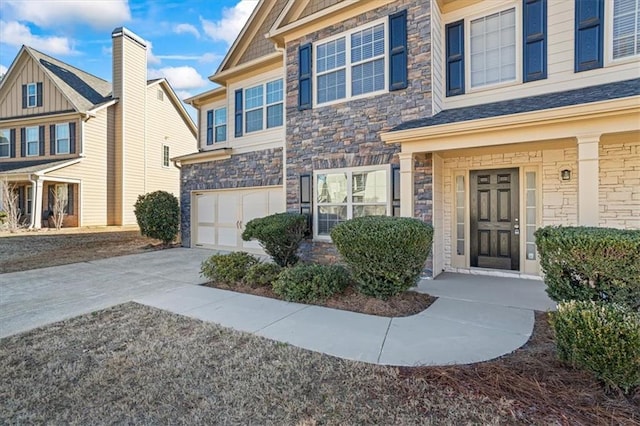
[[588, 180]]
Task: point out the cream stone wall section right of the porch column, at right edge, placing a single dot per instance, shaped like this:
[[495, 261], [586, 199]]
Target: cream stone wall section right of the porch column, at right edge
[[620, 185]]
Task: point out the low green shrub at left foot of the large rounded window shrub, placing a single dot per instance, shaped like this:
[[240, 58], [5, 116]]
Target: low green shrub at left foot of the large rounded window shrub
[[311, 283]]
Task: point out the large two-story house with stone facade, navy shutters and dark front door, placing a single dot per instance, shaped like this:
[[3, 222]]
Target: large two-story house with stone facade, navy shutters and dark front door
[[488, 119]]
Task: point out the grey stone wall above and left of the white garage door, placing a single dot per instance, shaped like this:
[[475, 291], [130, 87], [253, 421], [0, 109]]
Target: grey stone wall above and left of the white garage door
[[254, 169]]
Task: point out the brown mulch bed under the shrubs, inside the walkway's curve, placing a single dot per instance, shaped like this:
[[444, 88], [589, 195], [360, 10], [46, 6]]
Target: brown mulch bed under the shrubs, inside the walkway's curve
[[405, 304]]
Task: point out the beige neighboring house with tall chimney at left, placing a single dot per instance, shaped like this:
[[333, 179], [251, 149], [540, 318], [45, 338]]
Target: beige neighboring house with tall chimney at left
[[97, 146]]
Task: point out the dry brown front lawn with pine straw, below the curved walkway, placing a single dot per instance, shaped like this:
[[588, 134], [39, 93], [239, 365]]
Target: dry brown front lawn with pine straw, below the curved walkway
[[135, 364]]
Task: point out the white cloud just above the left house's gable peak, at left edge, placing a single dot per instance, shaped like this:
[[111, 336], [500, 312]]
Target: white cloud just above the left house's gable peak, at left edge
[[16, 34]]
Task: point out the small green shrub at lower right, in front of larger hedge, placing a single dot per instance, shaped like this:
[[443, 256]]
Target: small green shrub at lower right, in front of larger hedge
[[600, 337]]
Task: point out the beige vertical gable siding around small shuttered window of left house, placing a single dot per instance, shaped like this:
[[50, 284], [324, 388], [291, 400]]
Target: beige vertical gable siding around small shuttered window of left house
[[27, 71]]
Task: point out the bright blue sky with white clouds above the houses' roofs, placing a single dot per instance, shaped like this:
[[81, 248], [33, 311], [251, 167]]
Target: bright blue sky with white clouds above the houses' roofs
[[188, 38]]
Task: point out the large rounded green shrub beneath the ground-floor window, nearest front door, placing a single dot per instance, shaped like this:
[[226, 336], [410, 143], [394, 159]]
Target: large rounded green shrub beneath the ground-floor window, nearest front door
[[386, 254]]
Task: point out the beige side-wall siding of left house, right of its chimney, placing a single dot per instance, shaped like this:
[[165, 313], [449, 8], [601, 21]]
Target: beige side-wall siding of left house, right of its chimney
[[165, 126]]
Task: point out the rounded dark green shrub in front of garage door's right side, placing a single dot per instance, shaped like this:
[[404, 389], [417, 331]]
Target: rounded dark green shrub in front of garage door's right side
[[279, 235]]
